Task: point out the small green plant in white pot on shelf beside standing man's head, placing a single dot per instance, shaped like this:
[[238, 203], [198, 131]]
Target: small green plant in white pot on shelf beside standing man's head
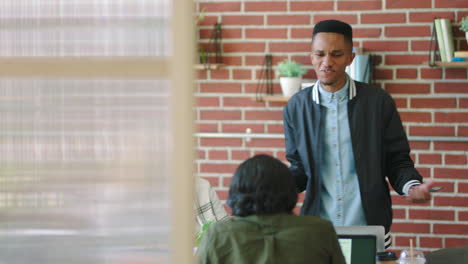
[[291, 76]]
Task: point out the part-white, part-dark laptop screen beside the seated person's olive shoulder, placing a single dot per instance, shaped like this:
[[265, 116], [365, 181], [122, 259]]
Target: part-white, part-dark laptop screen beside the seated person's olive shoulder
[[358, 249]]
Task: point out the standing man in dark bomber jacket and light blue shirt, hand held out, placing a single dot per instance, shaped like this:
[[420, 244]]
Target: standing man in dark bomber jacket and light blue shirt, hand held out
[[344, 138]]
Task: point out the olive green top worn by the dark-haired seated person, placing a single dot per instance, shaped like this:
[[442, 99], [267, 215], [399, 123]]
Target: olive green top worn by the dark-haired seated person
[[271, 239]]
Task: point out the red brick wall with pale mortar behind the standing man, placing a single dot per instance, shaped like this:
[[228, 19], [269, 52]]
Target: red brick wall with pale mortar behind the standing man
[[433, 102]]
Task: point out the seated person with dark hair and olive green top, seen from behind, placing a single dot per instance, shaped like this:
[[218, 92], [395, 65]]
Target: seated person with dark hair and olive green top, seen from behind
[[262, 196]]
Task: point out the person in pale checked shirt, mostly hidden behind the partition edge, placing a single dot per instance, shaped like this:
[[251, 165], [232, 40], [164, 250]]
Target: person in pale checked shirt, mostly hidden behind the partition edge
[[207, 205]]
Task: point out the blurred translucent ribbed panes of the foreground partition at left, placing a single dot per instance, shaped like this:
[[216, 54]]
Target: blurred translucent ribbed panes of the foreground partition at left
[[84, 163]]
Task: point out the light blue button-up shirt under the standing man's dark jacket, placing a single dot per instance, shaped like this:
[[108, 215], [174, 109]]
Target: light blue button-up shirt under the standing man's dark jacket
[[340, 197]]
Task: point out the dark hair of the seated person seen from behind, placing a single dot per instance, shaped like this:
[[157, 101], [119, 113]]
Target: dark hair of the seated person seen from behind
[[262, 185]]
